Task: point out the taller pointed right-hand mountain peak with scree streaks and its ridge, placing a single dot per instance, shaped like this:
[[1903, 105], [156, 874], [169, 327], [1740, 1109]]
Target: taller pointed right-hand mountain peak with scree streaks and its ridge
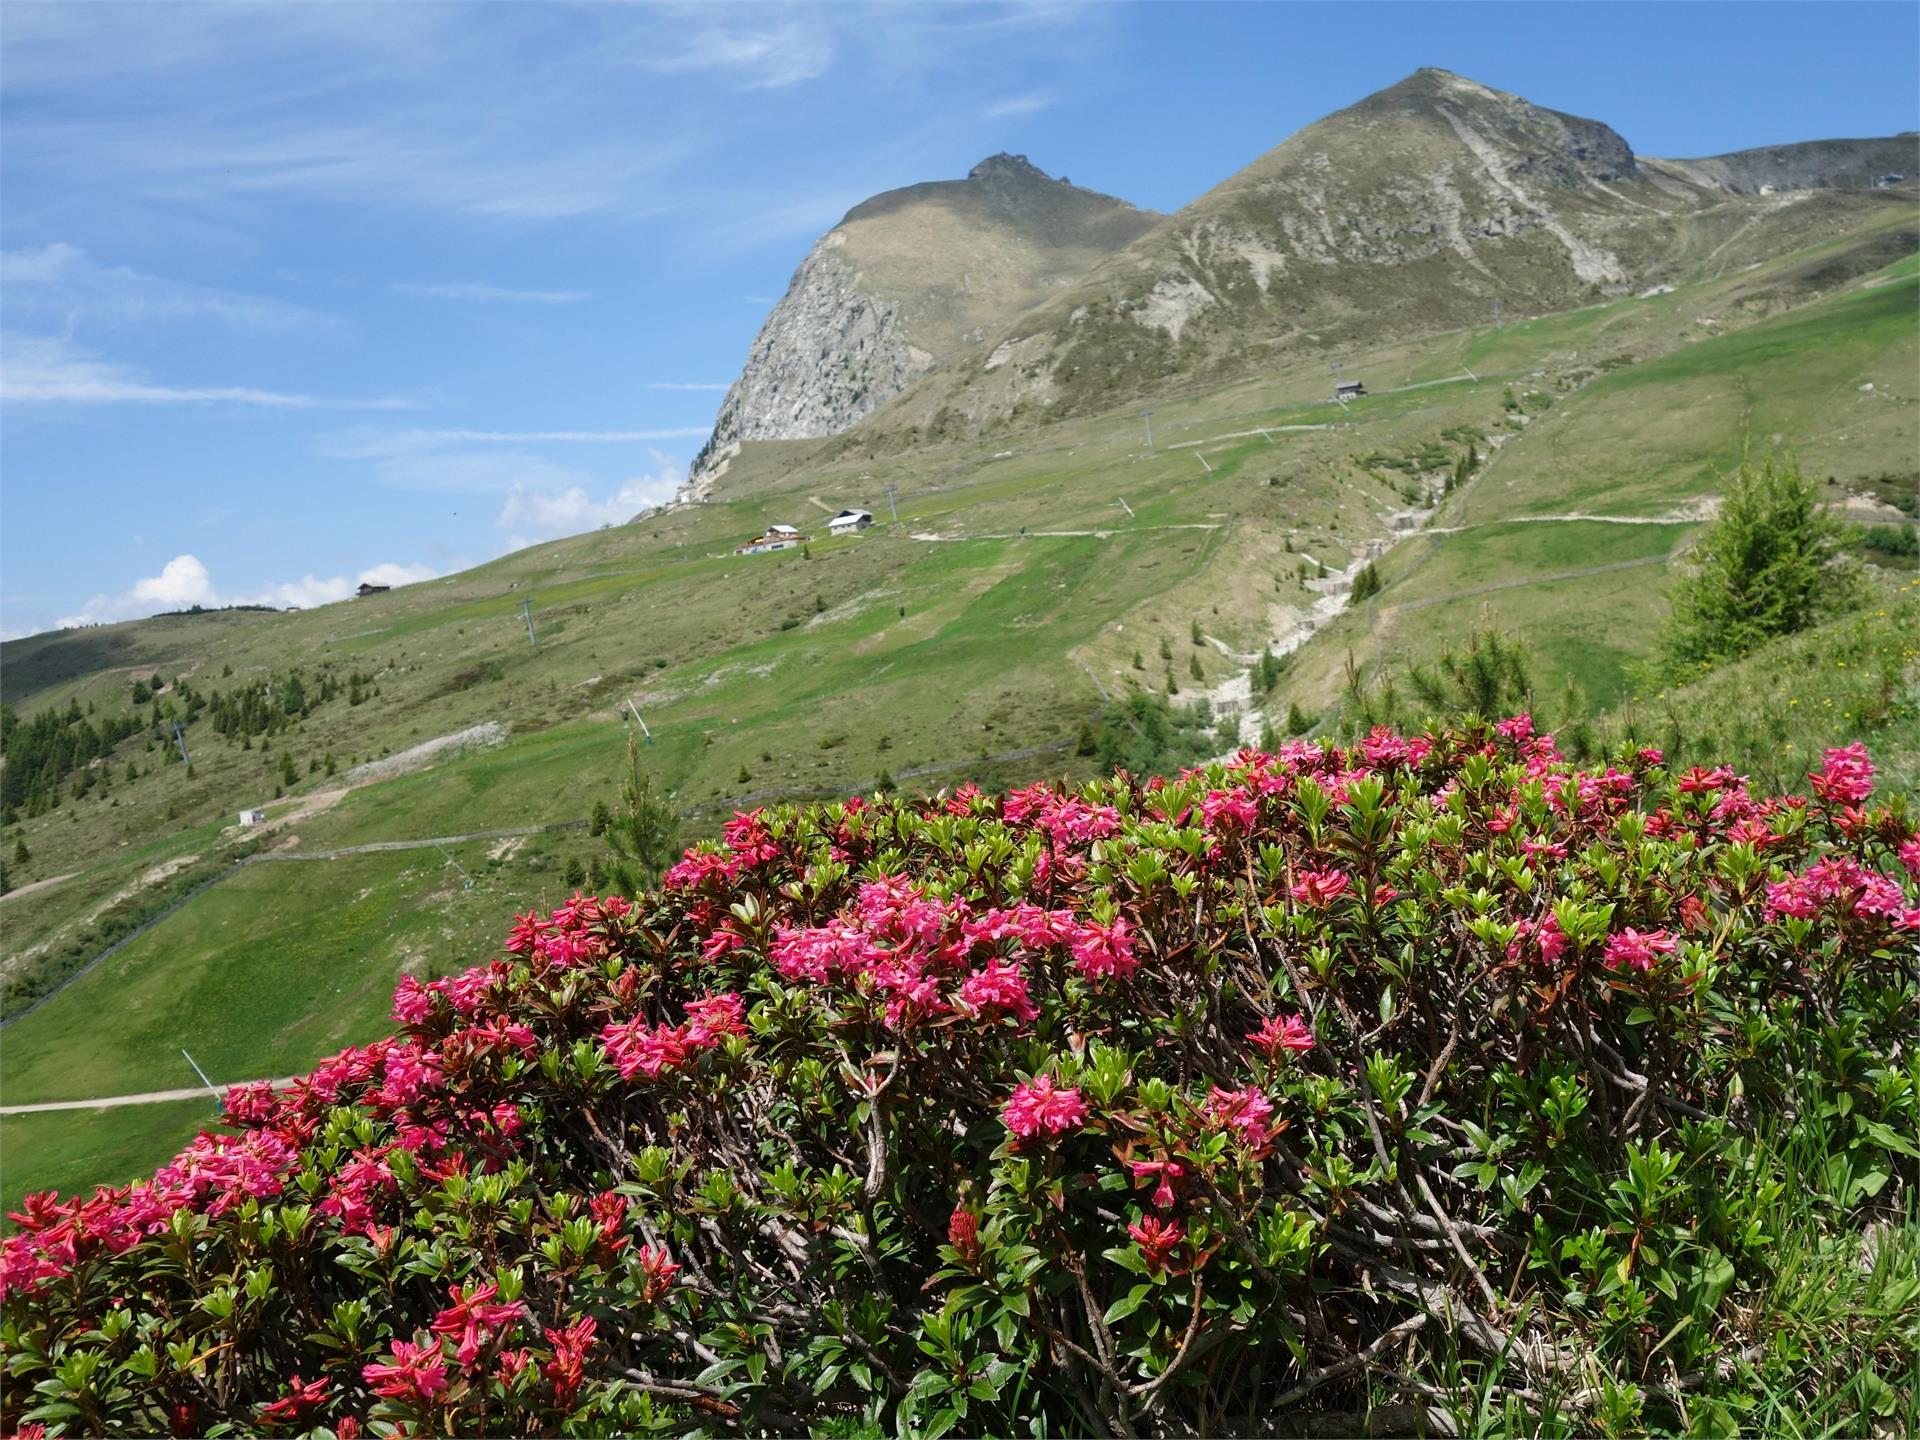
[[1414, 210]]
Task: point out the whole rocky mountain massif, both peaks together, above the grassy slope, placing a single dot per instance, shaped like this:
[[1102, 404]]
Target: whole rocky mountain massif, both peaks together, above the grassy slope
[[969, 306]]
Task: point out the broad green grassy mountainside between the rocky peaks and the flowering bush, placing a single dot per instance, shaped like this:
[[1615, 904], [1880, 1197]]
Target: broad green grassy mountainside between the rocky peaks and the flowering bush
[[971, 640]]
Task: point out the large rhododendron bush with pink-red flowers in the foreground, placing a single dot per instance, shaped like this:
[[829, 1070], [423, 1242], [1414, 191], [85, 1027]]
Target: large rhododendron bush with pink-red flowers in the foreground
[[1157, 1107]]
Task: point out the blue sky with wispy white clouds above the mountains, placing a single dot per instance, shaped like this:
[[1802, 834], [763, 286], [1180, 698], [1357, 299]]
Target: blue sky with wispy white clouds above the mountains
[[300, 295]]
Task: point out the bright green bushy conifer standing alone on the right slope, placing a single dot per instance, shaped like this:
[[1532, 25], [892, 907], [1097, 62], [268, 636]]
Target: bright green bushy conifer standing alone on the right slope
[[1769, 565]]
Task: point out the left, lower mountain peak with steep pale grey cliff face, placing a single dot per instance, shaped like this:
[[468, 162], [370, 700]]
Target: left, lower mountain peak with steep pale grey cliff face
[[903, 283]]
